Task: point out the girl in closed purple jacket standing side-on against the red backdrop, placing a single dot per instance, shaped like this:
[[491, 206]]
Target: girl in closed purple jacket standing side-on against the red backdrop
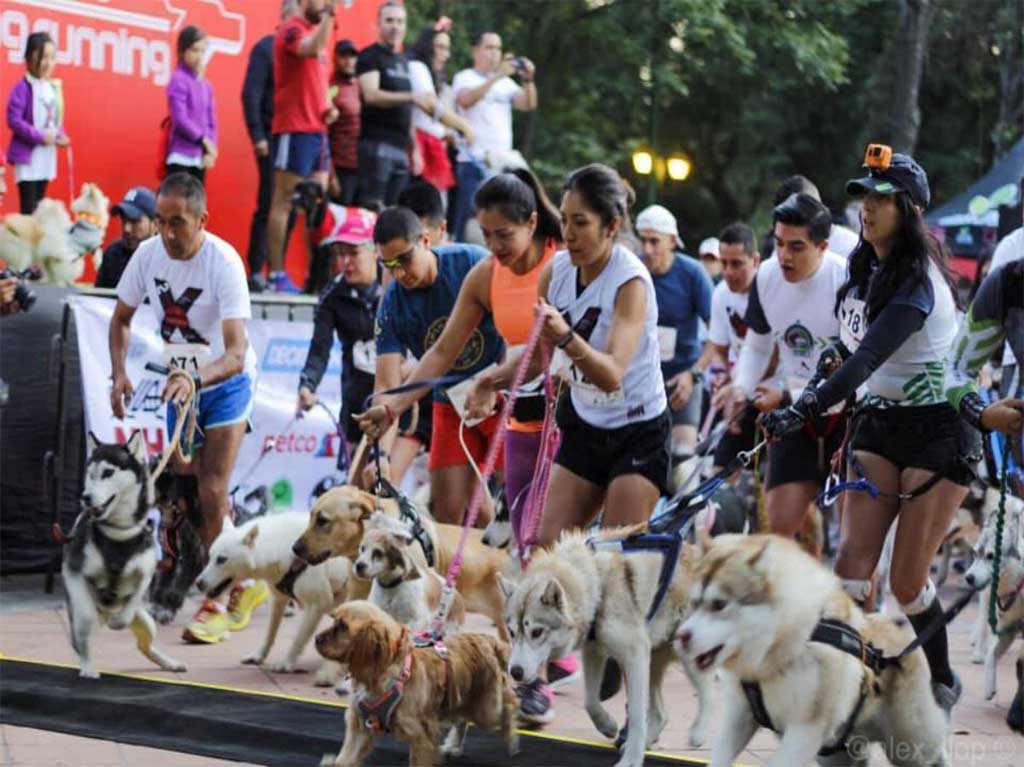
[[192, 144]]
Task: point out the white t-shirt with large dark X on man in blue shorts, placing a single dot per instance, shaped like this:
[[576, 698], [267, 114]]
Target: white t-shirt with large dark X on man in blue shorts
[[191, 300]]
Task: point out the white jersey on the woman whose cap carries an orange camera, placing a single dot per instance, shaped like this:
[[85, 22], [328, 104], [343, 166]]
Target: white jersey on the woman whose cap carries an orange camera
[[914, 376]]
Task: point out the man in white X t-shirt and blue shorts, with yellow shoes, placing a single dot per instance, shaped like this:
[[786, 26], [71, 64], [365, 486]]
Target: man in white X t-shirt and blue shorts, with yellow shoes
[[198, 290]]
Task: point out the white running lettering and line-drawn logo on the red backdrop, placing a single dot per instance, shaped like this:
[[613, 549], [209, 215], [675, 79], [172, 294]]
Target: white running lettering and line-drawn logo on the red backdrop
[[126, 37]]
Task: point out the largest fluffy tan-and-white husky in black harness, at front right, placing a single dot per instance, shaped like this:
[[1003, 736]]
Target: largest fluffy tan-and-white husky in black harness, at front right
[[756, 602]]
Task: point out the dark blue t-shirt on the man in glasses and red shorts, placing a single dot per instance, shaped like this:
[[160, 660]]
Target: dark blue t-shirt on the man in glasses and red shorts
[[411, 321]]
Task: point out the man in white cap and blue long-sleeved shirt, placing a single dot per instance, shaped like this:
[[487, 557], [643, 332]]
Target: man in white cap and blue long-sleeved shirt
[[684, 291]]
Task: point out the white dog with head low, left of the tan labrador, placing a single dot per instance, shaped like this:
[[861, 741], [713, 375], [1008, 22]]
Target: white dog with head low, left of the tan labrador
[[263, 549]]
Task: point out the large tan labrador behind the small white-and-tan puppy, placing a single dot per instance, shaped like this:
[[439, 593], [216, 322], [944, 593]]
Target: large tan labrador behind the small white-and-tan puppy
[[339, 521]]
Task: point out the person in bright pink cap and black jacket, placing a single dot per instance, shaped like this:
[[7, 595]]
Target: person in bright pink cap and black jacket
[[348, 307]]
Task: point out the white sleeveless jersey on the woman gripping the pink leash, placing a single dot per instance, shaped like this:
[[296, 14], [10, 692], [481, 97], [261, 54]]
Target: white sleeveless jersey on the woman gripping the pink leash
[[642, 396]]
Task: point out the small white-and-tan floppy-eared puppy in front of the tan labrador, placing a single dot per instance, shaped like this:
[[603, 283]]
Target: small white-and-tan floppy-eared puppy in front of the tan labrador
[[405, 588]]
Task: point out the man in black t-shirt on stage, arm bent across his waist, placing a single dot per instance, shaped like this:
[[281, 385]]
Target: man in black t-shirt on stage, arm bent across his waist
[[387, 134]]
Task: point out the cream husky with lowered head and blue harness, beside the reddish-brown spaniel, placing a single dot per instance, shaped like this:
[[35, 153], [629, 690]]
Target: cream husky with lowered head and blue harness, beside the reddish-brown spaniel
[[582, 595]]
